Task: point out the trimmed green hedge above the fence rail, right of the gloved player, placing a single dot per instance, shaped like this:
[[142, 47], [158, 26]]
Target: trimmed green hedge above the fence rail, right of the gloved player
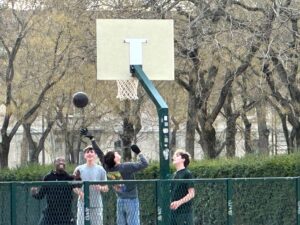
[[249, 166]]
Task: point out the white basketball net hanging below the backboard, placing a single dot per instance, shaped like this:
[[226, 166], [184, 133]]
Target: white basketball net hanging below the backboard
[[127, 89]]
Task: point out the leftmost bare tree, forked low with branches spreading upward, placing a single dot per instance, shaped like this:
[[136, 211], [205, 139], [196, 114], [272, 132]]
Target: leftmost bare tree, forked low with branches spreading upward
[[23, 101]]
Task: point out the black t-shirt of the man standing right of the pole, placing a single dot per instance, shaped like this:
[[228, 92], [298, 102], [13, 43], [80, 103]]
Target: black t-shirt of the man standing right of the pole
[[180, 189]]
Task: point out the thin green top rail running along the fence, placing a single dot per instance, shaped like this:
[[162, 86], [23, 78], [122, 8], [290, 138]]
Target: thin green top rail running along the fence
[[201, 180]]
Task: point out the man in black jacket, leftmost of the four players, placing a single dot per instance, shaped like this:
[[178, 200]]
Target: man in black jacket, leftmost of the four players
[[59, 197]]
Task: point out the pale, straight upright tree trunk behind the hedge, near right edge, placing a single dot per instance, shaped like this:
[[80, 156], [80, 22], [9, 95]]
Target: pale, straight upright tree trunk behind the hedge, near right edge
[[263, 131]]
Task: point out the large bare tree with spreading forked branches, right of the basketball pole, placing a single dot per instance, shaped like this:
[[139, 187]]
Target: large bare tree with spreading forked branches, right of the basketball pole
[[212, 22]]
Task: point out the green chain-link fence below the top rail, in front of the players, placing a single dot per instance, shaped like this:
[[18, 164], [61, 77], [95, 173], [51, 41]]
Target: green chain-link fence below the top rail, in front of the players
[[253, 201]]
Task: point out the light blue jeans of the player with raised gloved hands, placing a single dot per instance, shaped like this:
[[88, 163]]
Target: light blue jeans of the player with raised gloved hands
[[128, 211]]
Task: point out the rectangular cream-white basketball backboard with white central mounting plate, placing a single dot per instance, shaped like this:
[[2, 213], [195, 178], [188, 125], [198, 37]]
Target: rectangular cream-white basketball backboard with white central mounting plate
[[122, 42]]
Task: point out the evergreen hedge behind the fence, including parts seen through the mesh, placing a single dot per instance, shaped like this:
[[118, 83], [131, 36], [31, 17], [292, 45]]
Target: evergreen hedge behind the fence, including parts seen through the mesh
[[252, 200]]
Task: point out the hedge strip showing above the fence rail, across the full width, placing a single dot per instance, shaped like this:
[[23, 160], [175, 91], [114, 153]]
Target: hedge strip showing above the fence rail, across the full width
[[250, 166]]
